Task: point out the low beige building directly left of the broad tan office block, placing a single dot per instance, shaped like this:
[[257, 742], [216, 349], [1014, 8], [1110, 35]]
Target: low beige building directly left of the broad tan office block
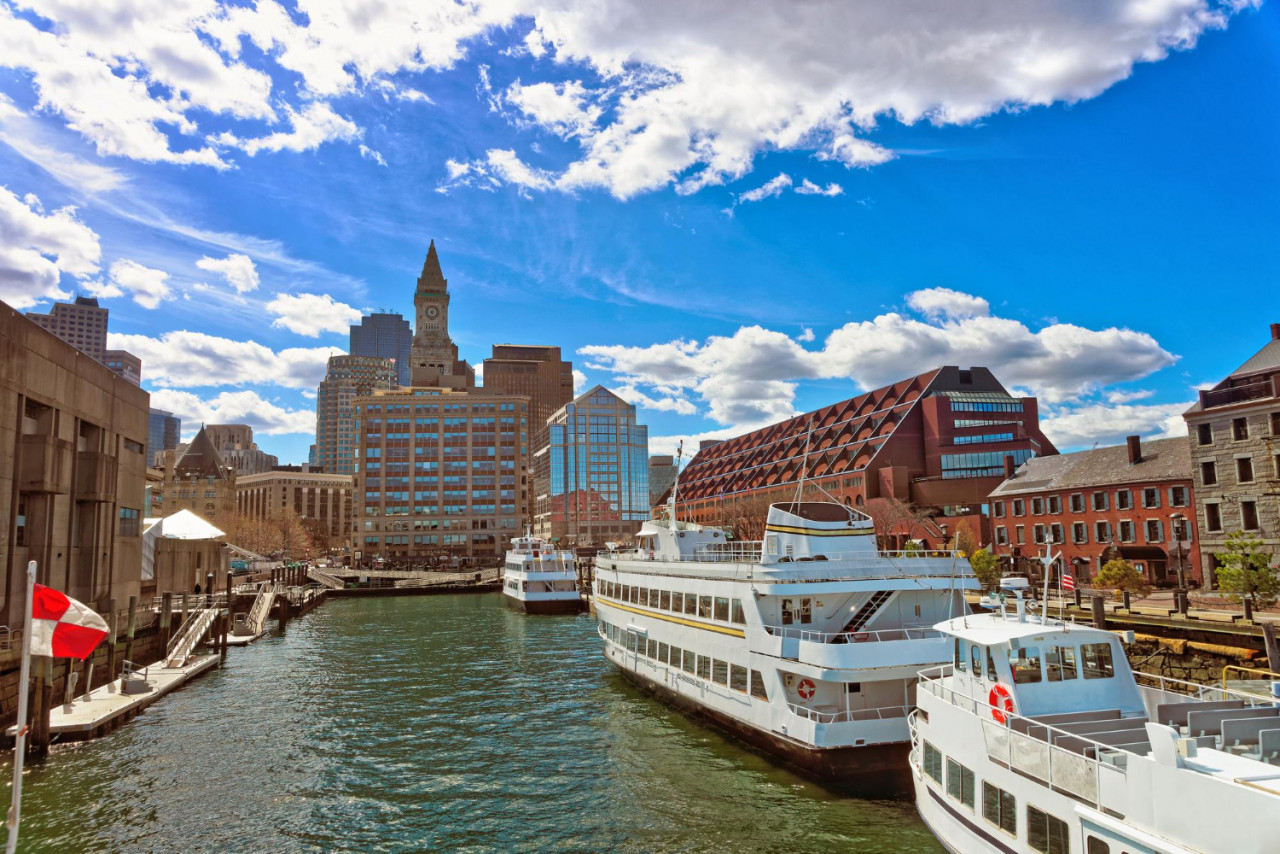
[[321, 501]]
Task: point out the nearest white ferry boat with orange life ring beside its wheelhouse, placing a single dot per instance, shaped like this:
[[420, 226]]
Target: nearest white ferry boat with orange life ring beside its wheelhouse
[[1040, 738]]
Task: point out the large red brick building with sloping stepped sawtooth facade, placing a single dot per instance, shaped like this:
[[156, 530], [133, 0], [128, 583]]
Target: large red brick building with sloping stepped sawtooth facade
[[936, 441]]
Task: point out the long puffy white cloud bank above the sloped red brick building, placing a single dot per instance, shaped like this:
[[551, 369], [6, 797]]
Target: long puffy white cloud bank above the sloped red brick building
[[751, 377]]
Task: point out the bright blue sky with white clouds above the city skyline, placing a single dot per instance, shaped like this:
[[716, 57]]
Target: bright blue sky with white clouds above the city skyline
[[728, 213]]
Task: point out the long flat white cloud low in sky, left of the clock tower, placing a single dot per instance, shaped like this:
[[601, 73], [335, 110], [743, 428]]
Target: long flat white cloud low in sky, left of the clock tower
[[194, 359]]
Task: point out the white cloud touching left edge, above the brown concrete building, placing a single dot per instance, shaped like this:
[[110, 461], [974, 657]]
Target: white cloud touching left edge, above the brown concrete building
[[36, 249]]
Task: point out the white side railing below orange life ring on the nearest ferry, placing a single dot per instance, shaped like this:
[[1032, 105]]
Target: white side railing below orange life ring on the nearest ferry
[[1094, 775]]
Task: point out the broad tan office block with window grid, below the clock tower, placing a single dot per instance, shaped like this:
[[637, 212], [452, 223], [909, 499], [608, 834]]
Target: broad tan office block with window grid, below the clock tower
[[444, 473]]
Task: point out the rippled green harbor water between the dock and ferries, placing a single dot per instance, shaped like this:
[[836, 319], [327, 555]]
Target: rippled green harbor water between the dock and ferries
[[437, 724]]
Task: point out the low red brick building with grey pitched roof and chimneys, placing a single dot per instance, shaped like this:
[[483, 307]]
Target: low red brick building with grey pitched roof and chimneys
[[1132, 501]]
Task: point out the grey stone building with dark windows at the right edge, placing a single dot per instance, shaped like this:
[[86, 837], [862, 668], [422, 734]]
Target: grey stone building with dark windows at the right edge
[[1235, 436]]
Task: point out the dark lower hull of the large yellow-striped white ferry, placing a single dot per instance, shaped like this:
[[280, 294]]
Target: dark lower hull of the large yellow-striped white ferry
[[877, 770]]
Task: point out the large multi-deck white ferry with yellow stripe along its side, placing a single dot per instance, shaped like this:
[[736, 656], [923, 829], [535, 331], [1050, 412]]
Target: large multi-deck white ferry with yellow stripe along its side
[[806, 646]]
